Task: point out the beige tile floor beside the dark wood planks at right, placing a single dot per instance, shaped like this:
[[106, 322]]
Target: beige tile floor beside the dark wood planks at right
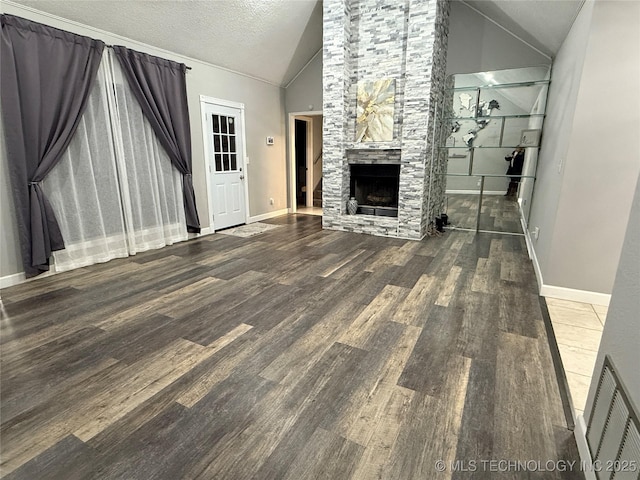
[[578, 328]]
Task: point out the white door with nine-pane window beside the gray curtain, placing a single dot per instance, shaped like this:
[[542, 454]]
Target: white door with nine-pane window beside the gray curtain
[[226, 165]]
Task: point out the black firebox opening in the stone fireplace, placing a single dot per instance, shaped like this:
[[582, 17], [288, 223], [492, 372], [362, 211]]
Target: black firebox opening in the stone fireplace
[[376, 187]]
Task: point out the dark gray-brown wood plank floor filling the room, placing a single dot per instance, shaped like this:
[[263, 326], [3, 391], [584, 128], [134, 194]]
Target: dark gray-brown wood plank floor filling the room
[[295, 354]]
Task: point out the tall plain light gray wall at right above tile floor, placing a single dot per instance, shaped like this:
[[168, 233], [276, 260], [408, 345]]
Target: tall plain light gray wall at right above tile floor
[[590, 157]]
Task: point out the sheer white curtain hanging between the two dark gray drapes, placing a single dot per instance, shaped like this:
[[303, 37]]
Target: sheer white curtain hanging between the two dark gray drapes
[[115, 191]]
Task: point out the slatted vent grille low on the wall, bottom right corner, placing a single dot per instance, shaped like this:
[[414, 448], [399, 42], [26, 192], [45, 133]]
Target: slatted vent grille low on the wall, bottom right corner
[[613, 430]]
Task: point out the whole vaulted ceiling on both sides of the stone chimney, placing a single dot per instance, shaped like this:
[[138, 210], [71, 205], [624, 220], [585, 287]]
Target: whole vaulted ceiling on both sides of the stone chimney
[[274, 39]]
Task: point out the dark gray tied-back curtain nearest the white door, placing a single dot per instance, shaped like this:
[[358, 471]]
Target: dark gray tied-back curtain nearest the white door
[[161, 88]]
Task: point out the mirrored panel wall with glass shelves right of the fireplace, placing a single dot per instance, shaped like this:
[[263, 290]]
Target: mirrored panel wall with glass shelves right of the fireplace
[[496, 121]]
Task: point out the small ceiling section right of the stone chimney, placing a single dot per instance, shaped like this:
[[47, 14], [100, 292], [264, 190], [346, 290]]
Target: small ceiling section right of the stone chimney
[[544, 24]]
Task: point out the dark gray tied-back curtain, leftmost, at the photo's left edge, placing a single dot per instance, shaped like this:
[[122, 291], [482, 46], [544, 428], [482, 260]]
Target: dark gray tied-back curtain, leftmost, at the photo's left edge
[[46, 77]]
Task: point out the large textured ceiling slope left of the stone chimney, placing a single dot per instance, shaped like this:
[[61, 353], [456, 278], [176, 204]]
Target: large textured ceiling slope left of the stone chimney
[[268, 39]]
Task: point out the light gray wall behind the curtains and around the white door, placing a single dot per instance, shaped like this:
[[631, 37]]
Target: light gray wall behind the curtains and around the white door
[[264, 109]]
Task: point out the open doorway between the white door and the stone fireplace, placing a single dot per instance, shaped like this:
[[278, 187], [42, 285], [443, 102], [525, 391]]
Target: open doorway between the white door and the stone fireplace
[[305, 163]]
